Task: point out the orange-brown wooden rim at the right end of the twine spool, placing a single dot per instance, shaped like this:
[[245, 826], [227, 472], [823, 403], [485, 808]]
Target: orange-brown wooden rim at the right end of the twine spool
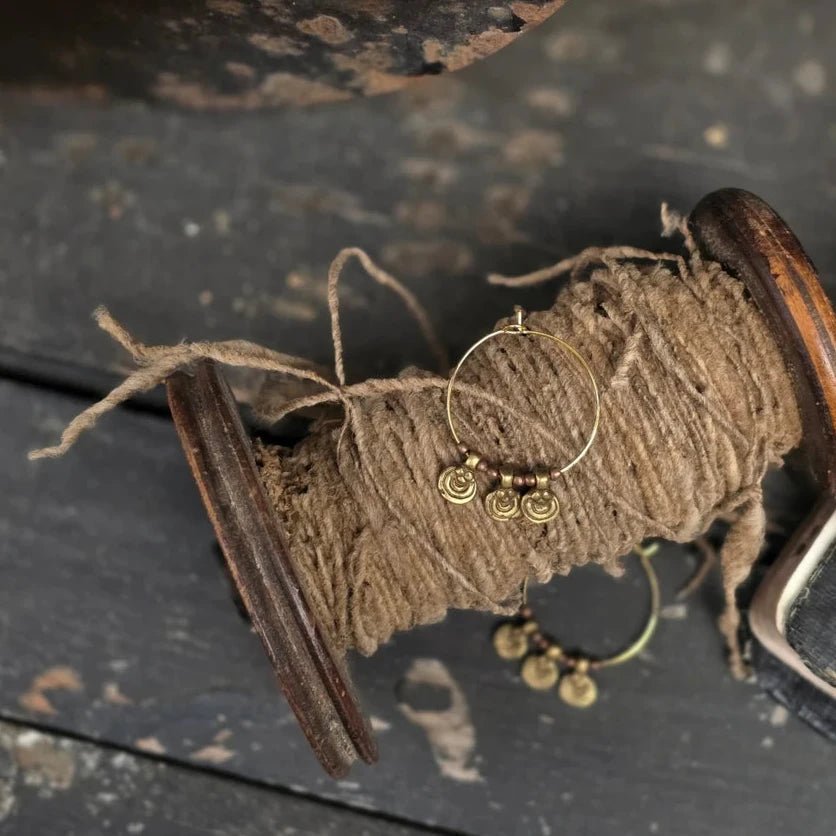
[[753, 243]]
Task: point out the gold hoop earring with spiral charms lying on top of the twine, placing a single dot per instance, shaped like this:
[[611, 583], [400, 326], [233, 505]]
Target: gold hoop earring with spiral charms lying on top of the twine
[[457, 484]]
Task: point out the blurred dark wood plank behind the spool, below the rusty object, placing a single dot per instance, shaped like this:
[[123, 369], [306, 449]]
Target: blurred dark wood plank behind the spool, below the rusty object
[[216, 227]]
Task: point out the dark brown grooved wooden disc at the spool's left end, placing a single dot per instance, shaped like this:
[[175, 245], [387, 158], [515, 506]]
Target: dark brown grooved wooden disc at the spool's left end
[[314, 681]]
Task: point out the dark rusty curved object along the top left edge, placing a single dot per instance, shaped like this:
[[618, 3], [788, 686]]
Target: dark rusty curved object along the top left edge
[[247, 54]]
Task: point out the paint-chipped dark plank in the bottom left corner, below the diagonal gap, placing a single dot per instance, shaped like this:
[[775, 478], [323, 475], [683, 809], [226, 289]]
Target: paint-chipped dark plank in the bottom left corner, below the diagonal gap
[[51, 785]]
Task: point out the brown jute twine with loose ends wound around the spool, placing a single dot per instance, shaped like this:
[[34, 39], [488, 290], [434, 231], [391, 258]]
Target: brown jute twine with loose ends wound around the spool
[[696, 405]]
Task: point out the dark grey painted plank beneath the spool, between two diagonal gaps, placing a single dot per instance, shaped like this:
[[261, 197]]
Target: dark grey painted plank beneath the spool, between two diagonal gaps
[[113, 595]]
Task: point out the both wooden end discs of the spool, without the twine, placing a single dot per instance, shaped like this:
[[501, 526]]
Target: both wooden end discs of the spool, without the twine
[[733, 227]]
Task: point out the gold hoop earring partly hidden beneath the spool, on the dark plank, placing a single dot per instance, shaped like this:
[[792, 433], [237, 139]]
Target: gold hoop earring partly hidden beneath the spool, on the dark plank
[[546, 664]]
